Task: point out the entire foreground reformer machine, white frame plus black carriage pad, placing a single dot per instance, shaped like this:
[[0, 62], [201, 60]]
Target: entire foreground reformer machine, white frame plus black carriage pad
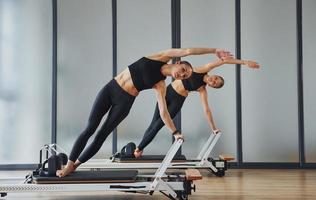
[[174, 186]]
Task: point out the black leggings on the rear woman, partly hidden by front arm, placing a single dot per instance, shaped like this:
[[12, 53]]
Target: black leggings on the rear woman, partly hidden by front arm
[[174, 103]]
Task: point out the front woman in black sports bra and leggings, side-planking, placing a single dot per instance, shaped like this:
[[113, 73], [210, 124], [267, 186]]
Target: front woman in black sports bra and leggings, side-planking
[[118, 95]]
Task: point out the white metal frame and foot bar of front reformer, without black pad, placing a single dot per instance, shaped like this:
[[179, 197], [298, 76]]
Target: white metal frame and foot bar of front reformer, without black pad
[[174, 186]]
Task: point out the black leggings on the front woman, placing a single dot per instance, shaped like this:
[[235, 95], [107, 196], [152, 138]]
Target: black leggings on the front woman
[[111, 97]]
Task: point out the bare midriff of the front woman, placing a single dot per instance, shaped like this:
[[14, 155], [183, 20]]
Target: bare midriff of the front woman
[[124, 80]]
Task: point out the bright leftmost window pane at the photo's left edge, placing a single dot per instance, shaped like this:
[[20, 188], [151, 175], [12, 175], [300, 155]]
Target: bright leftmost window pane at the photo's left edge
[[25, 79]]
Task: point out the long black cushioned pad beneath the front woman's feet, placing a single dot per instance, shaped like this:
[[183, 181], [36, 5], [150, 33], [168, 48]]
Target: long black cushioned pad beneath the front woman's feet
[[107, 176]]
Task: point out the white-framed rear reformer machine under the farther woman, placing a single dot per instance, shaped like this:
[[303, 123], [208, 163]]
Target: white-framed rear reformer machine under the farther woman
[[203, 160]]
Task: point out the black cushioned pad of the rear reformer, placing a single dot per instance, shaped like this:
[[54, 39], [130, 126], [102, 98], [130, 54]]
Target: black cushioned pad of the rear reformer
[[151, 158]]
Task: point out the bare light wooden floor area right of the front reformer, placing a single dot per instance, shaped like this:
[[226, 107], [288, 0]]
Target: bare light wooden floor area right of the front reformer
[[260, 184]]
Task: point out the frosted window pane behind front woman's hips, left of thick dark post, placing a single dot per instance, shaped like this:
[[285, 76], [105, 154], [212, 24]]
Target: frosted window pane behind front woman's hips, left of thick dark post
[[144, 27]]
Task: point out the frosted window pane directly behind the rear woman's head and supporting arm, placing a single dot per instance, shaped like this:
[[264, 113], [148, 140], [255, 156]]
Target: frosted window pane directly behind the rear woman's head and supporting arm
[[202, 26]]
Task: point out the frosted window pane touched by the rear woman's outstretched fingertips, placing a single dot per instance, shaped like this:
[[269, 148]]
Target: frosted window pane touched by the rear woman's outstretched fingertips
[[269, 95]]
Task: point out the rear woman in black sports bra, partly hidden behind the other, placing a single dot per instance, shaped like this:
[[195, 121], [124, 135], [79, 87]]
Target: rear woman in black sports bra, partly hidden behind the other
[[178, 90]]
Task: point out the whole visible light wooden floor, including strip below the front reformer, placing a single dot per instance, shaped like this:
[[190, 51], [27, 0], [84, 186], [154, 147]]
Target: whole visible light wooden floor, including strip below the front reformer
[[236, 185]]
